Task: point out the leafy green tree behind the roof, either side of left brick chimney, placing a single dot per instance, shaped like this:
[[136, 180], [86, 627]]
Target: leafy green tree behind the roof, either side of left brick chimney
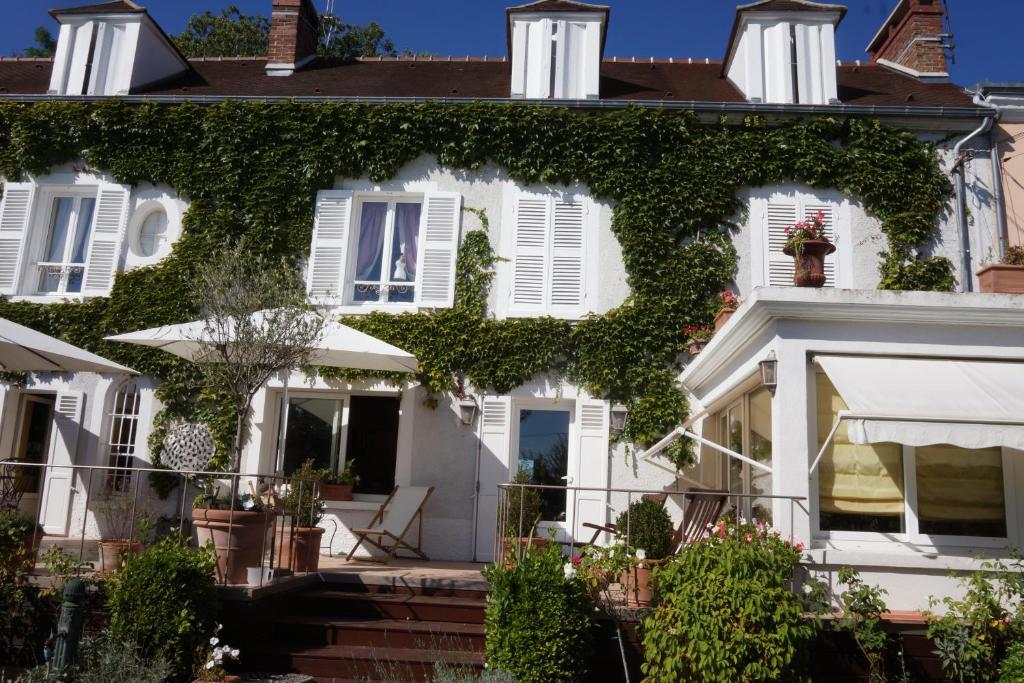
[[233, 34]]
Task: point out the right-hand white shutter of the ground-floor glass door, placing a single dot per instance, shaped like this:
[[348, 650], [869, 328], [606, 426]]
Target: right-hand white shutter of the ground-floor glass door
[[592, 459]]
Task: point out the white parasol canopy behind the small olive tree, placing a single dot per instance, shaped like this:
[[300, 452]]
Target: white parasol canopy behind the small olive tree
[[339, 347]]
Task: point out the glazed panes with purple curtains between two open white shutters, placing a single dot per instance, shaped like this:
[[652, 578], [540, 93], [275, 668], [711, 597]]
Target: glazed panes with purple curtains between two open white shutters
[[387, 252]]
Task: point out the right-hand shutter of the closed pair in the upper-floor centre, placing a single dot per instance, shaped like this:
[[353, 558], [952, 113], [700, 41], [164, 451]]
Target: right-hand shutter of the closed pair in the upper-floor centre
[[568, 254]]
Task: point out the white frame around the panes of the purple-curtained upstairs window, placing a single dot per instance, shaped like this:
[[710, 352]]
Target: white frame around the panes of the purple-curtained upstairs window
[[392, 199]]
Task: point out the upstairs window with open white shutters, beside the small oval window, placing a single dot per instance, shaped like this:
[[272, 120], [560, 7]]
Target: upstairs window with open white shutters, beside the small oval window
[[61, 240]]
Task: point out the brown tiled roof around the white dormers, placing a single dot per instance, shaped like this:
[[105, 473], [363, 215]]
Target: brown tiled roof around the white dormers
[[475, 78]]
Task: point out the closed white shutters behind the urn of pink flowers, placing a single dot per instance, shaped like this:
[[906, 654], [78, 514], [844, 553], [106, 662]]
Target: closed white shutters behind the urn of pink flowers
[[772, 214]]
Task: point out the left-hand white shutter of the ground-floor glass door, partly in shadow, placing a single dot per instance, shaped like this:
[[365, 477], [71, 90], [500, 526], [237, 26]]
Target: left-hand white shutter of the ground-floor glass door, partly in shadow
[[495, 446]]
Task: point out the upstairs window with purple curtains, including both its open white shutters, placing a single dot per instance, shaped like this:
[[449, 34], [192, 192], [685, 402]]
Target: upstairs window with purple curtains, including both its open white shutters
[[386, 249]]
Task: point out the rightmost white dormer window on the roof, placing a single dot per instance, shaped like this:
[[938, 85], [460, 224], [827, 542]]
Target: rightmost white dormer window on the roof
[[784, 52]]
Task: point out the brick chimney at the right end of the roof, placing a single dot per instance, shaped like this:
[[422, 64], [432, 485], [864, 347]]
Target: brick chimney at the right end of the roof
[[914, 39]]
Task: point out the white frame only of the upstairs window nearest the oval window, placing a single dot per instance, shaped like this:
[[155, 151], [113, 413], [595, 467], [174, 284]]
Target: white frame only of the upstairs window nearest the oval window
[[39, 227]]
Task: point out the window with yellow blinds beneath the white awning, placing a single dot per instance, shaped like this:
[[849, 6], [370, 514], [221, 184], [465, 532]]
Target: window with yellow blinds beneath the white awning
[[932, 495]]
